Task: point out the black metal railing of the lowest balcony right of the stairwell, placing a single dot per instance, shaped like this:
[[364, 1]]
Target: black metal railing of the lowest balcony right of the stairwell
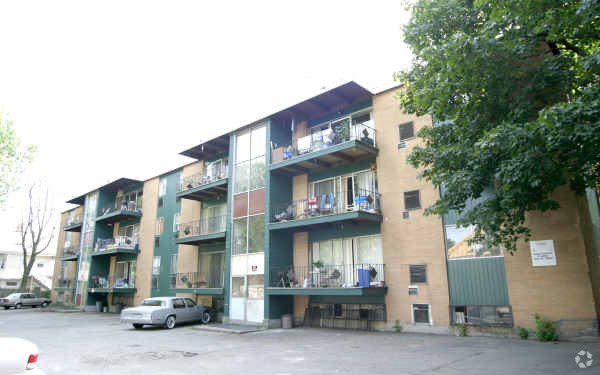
[[328, 276]]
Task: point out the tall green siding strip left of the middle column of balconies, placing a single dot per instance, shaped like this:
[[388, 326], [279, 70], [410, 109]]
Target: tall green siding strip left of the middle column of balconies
[[167, 238]]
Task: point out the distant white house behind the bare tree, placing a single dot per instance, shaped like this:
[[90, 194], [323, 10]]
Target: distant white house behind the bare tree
[[11, 270]]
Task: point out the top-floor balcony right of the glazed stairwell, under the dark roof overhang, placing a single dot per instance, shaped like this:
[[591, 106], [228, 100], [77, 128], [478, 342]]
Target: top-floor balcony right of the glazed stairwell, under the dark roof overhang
[[340, 144]]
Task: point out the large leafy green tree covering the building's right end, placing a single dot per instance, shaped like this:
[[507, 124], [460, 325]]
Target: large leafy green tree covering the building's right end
[[512, 86]]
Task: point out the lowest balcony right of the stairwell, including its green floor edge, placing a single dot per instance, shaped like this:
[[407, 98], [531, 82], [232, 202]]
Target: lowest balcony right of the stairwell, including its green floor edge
[[328, 280]]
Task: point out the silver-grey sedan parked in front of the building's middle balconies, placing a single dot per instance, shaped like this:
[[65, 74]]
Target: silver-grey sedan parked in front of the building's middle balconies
[[166, 312]]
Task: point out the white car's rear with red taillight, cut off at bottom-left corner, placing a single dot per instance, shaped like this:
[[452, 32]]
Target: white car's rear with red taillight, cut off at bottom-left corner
[[18, 357]]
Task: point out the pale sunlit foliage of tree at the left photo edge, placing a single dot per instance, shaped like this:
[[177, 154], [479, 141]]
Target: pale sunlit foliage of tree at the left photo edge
[[13, 158]]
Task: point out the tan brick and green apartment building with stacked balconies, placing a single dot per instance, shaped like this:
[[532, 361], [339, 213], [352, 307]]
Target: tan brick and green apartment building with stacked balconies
[[313, 211]]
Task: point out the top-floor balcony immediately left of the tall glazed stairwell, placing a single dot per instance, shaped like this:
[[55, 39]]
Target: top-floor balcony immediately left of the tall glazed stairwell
[[206, 185]]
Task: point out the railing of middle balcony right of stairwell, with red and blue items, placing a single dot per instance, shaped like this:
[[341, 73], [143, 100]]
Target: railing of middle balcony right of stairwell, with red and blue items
[[328, 204]]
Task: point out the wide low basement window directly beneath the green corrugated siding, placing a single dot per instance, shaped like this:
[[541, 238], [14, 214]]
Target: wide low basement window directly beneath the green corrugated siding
[[482, 315]]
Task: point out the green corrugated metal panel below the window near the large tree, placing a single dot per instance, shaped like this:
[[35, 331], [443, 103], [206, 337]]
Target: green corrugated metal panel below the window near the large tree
[[477, 281]]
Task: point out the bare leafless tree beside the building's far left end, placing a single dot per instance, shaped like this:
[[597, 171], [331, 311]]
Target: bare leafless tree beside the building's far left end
[[36, 228]]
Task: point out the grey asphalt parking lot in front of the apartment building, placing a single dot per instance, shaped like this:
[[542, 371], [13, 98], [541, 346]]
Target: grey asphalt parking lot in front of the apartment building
[[90, 343]]
